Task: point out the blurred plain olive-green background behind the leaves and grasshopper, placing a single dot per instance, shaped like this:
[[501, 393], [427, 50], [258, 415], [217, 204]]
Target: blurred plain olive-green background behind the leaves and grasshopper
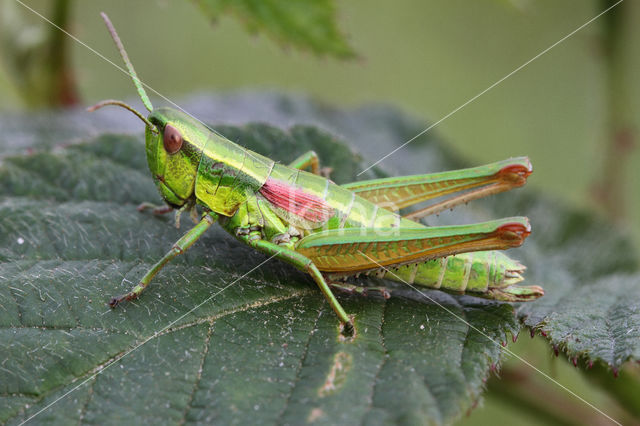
[[425, 57]]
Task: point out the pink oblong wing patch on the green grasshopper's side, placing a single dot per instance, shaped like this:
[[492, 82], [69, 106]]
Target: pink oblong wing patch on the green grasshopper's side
[[296, 201]]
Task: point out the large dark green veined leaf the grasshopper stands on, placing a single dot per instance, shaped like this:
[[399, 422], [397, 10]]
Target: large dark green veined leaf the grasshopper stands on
[[266, 348]]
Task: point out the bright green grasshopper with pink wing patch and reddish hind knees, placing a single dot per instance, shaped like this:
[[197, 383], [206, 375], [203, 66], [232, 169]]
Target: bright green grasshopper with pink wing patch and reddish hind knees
[[326, 230]]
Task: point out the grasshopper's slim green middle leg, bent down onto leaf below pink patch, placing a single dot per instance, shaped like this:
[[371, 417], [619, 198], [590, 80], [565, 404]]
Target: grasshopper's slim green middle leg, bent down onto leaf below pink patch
[[304, 264]]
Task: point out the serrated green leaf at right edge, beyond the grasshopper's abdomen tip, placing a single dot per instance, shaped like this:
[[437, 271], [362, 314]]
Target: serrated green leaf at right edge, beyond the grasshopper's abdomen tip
[[589, 269]]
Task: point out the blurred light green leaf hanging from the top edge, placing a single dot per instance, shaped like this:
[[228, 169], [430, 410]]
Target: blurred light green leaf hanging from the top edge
[[304, 24]]
